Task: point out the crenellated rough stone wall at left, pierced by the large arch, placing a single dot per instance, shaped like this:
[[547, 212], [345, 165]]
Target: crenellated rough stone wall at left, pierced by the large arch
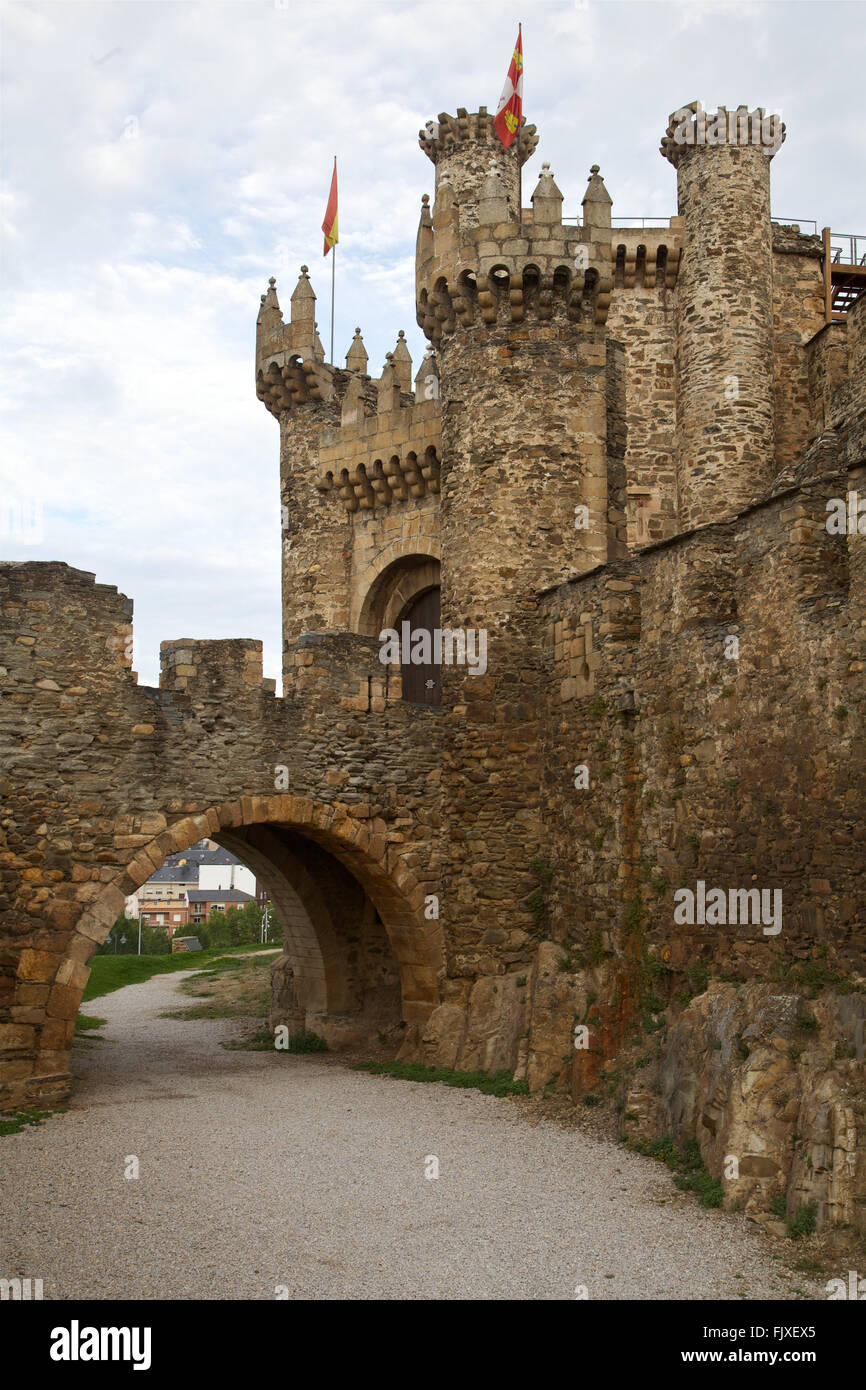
[[102, 779]]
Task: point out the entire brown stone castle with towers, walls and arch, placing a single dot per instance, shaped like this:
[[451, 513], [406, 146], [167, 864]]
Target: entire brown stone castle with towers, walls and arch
[[616, 464]]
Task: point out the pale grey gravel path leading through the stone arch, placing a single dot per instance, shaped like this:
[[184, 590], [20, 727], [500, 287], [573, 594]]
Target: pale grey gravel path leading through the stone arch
[[262, 1171]]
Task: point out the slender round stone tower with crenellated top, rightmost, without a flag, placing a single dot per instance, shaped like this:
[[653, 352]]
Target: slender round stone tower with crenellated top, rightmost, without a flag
[[725, 308]]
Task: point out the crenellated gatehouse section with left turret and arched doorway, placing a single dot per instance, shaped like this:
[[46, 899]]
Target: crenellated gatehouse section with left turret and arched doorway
[[359, 476]]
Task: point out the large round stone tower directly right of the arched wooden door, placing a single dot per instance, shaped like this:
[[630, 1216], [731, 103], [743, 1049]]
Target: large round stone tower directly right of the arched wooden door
[[516, 313]]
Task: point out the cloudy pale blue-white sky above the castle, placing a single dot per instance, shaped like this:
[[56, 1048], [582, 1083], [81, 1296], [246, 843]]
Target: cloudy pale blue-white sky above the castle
[[163, 159]]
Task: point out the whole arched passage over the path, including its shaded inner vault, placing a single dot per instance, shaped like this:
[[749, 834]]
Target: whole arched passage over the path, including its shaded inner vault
[[362, 956]]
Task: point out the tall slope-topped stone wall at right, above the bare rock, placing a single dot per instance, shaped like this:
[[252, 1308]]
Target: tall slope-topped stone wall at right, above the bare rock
[[749, 771]]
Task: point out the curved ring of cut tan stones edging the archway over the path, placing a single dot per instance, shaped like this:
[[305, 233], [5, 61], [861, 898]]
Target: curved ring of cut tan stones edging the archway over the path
[[41, 1070]]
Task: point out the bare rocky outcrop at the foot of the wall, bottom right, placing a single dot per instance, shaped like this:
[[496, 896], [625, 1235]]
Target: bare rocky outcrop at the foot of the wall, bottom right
[[772, 1088]]
